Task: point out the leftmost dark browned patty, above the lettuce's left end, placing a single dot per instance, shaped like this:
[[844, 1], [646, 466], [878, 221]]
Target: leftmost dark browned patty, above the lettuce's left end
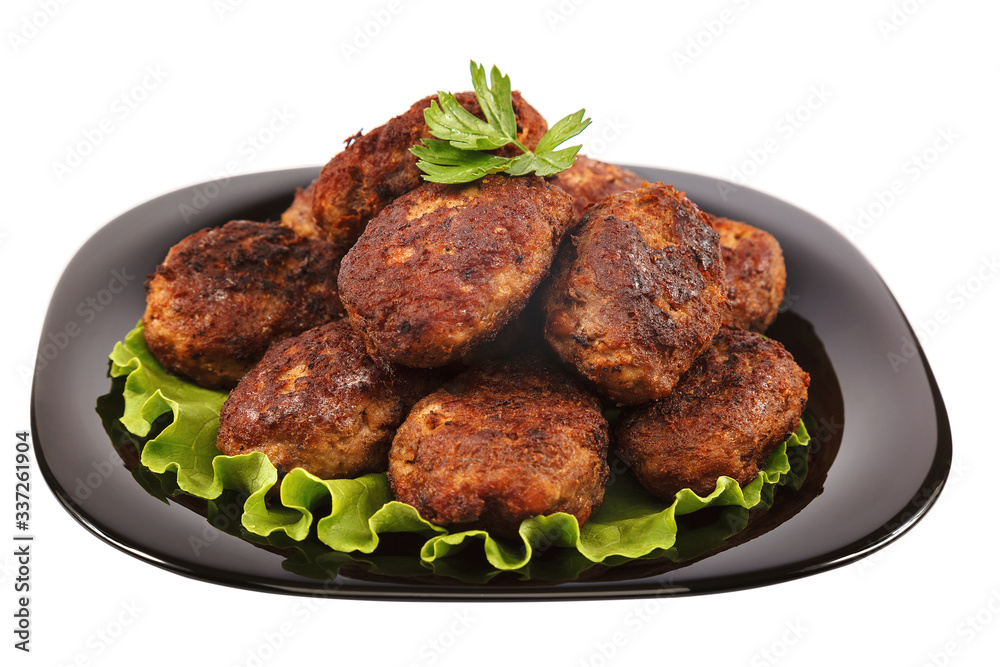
[[223, 295]]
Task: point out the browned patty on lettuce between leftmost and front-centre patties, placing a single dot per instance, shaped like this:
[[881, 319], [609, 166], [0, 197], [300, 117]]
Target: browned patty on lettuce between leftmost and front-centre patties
[[318, 401]]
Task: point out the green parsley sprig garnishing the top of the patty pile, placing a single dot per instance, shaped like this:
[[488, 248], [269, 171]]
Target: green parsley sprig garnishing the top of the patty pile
[[457, 155]]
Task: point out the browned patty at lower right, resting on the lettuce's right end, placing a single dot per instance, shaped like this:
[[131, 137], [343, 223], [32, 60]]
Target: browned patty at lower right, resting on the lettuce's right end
[[741, 399]]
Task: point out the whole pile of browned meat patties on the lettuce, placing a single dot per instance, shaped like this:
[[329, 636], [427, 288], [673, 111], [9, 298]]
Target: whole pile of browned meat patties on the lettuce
[[467, 339]]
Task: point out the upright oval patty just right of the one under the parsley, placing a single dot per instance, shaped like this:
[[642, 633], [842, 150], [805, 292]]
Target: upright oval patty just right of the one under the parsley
[[638, 293]]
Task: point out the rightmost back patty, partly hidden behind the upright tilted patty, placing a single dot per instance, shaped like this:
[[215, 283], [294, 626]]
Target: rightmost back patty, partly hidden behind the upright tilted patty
[[755, 274]]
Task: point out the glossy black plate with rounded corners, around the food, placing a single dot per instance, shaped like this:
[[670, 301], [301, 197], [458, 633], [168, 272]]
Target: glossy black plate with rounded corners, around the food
[[885, 424]]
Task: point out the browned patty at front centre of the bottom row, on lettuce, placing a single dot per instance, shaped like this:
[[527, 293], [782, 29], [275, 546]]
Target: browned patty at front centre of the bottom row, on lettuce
[[501, 443]]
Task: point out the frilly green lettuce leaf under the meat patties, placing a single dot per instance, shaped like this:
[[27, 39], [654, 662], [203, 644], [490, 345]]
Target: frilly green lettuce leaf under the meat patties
[[352, 516]]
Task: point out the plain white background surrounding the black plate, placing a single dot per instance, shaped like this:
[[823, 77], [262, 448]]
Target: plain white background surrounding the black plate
[[885, 79]]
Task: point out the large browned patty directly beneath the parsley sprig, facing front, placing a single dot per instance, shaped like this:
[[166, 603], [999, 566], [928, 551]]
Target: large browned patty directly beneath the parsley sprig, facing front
[[445, 267]]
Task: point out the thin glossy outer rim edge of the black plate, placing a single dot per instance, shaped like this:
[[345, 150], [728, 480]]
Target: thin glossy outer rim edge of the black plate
[[899, 524]]
